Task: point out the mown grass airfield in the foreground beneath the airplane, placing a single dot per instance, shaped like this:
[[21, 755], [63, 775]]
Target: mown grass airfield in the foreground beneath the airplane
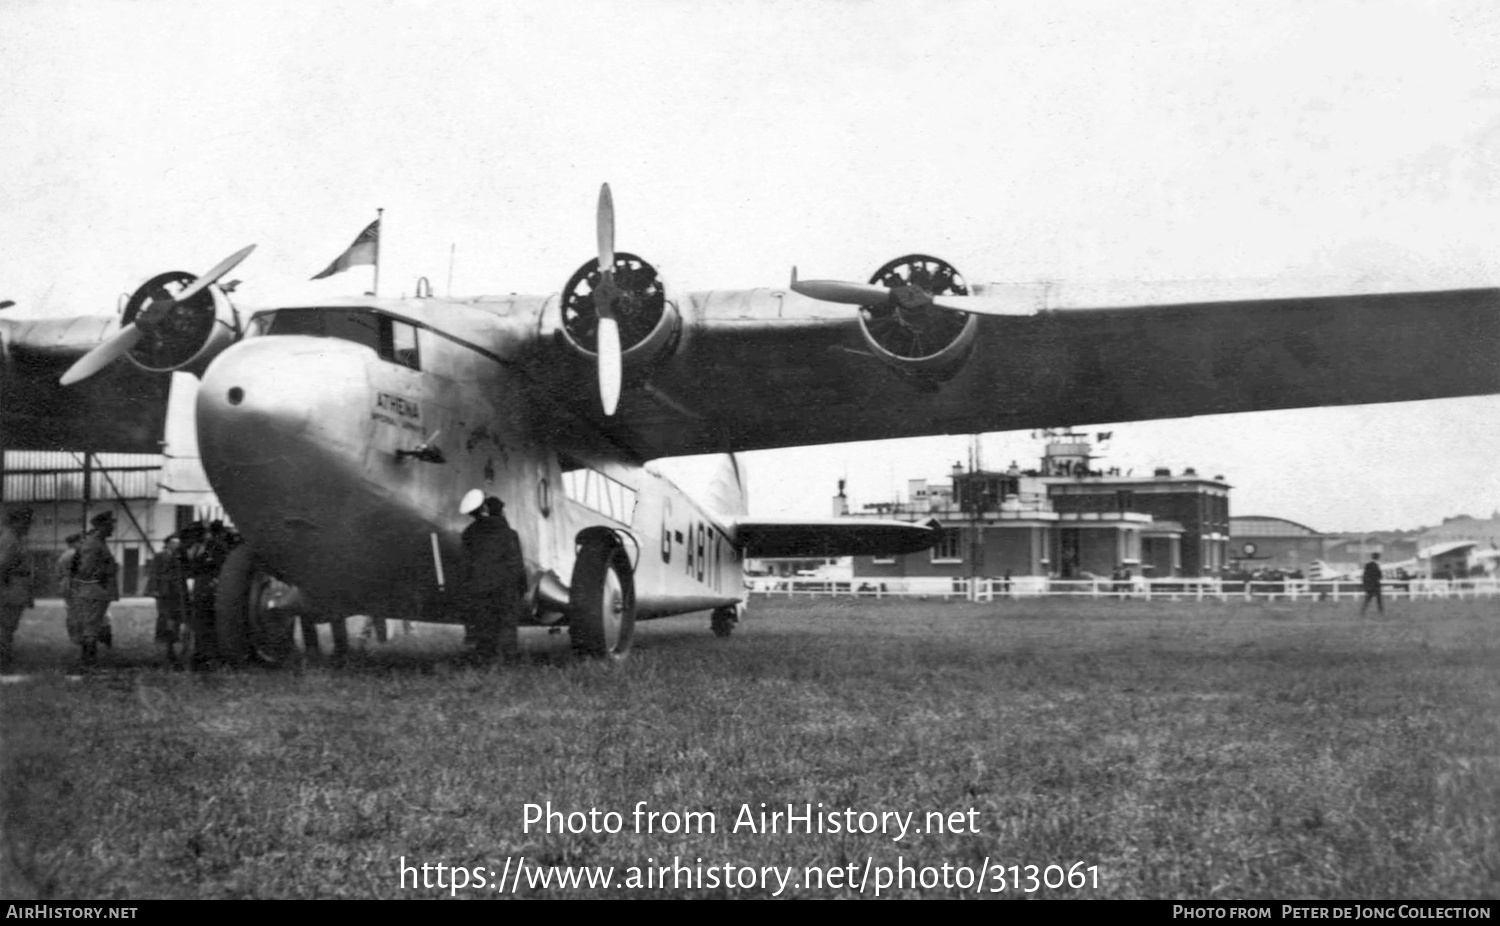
[[1186, 751]]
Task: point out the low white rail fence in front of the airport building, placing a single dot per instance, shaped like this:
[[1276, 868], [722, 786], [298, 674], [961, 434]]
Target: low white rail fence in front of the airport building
[[1148, 591]]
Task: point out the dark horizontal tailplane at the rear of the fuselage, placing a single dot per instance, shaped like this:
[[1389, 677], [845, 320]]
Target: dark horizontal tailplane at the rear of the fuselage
[[832, 537]]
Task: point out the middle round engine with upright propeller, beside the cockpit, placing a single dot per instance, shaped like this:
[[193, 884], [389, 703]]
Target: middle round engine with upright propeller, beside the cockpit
[[650, 323]]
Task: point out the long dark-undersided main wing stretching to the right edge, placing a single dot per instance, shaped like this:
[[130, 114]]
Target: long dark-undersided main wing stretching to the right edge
[[769, 368]]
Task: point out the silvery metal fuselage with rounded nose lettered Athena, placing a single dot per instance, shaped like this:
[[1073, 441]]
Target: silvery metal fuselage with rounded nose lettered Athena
[[301, 437]]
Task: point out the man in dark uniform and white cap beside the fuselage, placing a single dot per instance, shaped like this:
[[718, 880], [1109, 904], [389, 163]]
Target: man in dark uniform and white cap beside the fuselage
[[496, 579]]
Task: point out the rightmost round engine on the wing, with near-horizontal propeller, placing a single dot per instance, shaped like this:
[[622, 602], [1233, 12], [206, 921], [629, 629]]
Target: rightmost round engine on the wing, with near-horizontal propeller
[[925, 344]]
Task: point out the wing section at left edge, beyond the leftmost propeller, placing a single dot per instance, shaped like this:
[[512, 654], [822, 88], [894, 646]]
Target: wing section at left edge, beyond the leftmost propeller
[[121, 410]]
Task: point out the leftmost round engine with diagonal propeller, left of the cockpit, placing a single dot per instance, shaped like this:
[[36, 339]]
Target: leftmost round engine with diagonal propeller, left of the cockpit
[[179, 335]]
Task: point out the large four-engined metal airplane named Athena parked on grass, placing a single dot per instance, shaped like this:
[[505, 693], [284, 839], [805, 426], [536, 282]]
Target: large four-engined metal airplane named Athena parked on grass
[[341, 433]]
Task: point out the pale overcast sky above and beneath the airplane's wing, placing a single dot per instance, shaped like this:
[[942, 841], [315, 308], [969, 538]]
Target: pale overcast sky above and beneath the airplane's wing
[[1325, 146]]
